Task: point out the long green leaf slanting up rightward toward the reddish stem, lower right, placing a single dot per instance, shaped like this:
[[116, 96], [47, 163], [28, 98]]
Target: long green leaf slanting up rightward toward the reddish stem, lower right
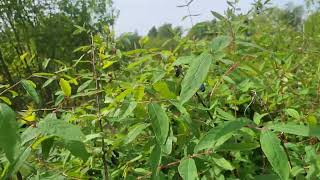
[[209, 140]]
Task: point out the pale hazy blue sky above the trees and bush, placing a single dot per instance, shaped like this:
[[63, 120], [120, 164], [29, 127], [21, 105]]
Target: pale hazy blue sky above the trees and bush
[[141, 15]]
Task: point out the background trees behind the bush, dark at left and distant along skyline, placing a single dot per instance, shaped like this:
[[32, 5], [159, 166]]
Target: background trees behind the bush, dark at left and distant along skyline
[[34, 31]]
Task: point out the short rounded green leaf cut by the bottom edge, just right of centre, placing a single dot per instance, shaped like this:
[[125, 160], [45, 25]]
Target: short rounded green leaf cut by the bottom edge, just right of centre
[[188, 169]]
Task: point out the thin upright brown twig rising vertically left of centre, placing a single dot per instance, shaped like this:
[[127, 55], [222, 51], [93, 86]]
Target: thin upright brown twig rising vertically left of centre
[[99, 117]]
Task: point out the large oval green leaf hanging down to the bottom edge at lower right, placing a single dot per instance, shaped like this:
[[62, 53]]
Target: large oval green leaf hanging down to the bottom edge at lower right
[[270, 145]]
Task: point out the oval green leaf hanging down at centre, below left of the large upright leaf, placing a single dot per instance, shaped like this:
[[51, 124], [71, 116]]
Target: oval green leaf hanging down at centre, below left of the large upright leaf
[[159, 121]]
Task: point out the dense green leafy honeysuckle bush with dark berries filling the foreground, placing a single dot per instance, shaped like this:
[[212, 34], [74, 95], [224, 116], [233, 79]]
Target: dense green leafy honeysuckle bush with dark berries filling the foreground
[[240, 104]]
